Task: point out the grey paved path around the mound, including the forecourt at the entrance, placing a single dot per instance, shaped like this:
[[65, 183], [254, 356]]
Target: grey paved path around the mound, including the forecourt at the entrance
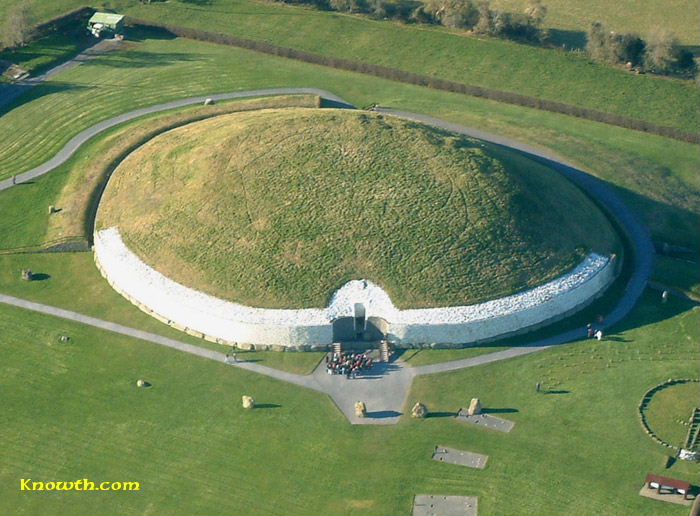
[[385, 391]]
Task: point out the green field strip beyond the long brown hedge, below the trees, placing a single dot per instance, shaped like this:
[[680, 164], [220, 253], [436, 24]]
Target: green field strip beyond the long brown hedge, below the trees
[[550, 74]]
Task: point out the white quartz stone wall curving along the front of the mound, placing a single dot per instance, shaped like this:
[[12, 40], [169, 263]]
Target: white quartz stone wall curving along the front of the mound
[[229, 323]]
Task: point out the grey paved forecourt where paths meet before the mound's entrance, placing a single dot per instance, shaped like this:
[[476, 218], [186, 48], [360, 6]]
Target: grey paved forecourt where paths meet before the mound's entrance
[[383, 390]]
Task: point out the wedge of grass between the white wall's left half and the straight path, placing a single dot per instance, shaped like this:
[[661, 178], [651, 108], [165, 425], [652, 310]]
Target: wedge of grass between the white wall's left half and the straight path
[[71, 281]]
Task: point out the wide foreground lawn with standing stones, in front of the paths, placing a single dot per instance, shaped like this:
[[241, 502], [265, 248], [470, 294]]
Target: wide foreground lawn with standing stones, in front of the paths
[[72, 410]]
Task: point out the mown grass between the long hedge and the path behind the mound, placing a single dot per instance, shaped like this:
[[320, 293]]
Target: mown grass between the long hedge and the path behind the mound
[[655, 175]]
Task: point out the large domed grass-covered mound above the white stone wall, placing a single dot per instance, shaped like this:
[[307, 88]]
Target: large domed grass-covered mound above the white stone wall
[[279, 208]]
